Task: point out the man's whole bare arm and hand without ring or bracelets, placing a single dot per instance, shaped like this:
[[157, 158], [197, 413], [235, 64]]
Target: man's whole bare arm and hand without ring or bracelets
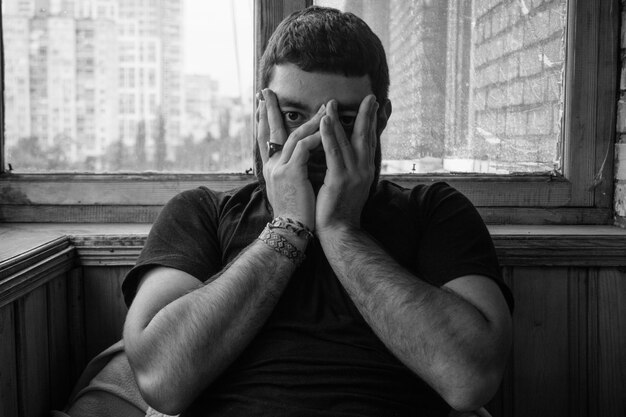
[[457, 337]]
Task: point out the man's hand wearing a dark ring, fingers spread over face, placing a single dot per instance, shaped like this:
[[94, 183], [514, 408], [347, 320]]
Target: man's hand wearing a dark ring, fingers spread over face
[[288, 187]]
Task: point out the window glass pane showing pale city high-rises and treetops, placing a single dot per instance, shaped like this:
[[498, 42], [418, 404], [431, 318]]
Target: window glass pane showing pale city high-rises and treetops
[[128, 85]]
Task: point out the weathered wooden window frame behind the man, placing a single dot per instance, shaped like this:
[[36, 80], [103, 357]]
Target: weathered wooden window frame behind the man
[[582, 195]]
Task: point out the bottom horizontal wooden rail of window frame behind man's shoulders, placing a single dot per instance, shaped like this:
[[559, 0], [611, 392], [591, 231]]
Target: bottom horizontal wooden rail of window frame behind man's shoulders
[[138, 198]]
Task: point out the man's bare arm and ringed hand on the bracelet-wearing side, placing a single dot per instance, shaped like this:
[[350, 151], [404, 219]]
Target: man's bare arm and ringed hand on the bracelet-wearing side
[[179, 334]]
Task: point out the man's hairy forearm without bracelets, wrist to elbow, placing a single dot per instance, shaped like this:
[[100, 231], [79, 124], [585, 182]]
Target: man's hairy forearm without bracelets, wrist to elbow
[[444, 339]]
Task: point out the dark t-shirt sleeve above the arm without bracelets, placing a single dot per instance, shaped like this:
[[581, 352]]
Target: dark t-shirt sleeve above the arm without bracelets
[[454, 241]]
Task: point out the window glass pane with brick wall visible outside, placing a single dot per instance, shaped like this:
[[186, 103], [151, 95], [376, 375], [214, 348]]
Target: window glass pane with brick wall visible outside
[[476, 85]]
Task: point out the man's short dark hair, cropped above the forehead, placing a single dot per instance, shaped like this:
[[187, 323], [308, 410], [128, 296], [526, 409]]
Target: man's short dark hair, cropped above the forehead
[[322, 39]]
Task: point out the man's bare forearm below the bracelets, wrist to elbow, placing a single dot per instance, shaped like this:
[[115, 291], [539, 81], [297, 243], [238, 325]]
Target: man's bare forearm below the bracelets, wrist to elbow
[[189, 342]]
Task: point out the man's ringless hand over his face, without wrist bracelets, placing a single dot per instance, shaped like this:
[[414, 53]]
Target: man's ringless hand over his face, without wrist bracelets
[[350, 167]]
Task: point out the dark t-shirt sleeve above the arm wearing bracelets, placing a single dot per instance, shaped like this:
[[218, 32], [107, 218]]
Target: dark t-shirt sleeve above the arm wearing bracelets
[[184, 237]]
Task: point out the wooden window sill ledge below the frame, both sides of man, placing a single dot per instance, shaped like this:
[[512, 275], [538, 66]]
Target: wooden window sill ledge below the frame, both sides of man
[[25, 244]]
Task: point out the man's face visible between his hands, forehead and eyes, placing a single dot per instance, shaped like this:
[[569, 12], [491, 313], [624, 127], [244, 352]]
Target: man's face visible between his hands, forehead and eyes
[[300, 95]]
